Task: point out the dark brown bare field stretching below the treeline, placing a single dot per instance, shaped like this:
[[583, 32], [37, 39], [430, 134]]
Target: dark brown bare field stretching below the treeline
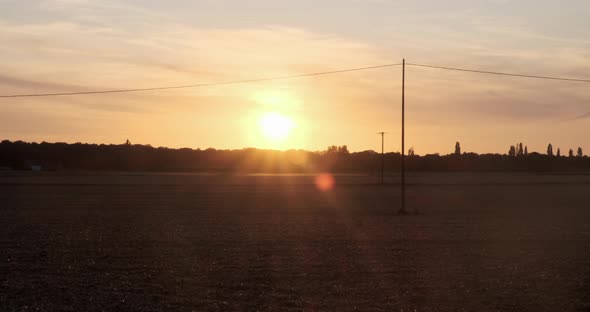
[[183, 242]]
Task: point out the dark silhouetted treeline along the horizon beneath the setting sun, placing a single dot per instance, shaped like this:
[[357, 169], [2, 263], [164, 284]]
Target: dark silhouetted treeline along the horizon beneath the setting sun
[[20, 155]]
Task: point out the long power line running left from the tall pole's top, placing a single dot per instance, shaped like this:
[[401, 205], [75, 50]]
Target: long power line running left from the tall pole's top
[[200, 85]]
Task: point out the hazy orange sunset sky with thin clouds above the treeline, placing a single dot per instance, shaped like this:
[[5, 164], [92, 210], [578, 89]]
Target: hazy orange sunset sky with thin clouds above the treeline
[[85, 45]]
